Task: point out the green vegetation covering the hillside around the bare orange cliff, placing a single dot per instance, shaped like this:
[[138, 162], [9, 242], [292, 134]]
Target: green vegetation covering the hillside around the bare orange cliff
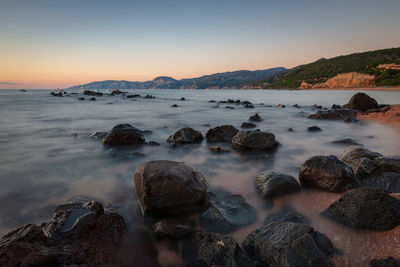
[[323, 69]]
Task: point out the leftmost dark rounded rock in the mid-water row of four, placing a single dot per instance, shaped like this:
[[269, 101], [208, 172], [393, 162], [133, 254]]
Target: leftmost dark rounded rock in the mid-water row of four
[[124, 134]]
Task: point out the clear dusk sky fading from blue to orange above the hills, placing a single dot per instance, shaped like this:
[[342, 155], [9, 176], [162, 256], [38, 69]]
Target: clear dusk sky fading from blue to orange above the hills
[[57, 44]]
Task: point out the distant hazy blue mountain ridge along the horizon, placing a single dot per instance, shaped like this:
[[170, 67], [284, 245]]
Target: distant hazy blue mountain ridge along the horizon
[[234, 80]]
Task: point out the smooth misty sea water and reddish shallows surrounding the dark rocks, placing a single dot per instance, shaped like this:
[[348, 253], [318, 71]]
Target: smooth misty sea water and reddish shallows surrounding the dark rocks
[[48, 157]]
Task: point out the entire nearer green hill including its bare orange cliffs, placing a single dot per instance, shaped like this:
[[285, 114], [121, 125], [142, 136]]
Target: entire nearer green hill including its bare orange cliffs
[[367, 69]]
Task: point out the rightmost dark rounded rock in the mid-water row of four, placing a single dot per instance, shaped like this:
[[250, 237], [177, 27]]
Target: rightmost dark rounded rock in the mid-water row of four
[[254, 140]]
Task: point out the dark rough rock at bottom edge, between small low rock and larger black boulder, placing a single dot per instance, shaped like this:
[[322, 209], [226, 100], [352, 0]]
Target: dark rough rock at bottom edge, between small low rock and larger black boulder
[[204, 249]]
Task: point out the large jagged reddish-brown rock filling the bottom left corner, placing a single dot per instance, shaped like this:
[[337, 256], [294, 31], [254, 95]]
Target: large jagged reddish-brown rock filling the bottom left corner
[[78, 233]]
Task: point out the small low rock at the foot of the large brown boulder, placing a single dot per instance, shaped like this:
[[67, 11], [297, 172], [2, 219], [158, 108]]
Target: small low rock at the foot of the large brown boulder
[[171, 229]]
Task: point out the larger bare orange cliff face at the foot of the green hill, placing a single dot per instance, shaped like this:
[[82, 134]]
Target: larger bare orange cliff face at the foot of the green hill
[[344, 80]]
